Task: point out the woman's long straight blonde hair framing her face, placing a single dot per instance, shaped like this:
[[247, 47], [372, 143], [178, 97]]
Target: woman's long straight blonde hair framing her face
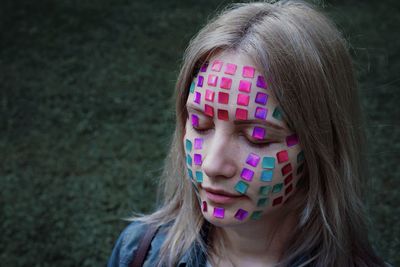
[[313, 81]]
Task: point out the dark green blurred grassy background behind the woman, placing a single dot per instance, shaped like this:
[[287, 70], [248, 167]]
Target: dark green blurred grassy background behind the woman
[[86, 118]]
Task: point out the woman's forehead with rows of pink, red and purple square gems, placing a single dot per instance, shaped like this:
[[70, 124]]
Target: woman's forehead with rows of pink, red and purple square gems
[[229, 87]]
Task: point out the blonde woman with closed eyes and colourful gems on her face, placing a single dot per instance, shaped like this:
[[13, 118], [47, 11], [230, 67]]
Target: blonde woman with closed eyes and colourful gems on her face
[[265, 167]]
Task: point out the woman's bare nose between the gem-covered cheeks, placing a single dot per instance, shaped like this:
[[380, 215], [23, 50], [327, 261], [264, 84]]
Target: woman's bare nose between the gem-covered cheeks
[[219, 160]]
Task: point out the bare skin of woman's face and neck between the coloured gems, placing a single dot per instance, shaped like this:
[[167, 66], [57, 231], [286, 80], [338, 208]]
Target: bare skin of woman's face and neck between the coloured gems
[[257, 239]]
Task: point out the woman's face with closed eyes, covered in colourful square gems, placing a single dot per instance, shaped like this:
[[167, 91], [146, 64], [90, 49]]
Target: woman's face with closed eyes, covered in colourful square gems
[[242, 158]]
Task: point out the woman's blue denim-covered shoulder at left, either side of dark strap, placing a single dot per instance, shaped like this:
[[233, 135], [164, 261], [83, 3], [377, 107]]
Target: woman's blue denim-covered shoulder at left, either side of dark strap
[[127, 245]]
